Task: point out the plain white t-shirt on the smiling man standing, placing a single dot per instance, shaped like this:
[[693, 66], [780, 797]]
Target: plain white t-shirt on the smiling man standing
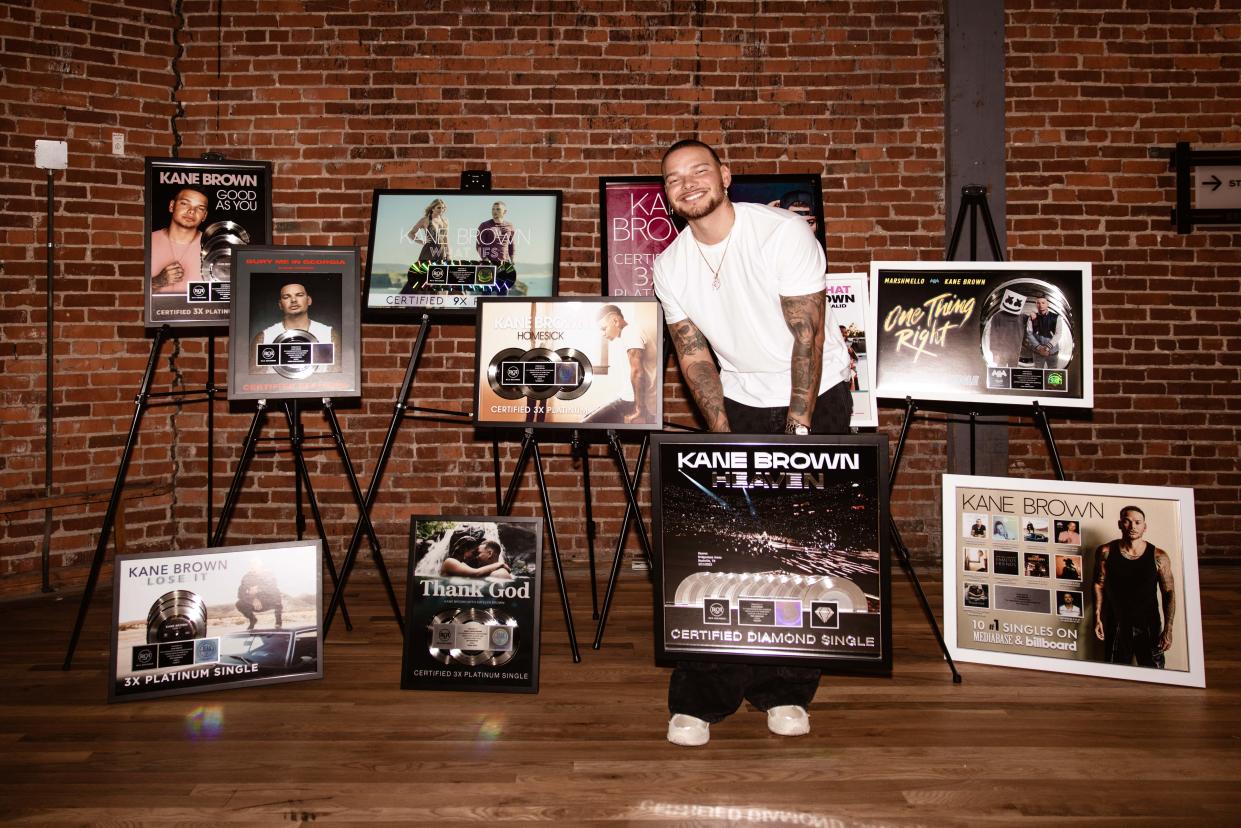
[[769, 254]]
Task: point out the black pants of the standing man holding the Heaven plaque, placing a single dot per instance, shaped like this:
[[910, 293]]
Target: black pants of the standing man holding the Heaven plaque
[[713, 691]]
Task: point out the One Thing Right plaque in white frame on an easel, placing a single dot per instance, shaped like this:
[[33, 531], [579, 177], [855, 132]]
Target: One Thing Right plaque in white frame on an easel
[[1008, 333]]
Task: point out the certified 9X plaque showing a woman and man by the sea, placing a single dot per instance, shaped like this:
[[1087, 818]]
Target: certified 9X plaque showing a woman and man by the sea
[[439, 251]]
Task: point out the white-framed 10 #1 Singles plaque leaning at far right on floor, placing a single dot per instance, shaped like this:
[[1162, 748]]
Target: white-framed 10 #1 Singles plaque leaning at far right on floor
[[1115, 595]]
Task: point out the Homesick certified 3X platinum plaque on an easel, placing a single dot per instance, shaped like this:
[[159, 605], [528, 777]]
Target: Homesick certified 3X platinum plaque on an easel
[[570, 363]]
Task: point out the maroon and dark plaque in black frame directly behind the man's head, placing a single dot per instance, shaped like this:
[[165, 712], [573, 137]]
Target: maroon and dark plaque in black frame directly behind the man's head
[[636, 224]]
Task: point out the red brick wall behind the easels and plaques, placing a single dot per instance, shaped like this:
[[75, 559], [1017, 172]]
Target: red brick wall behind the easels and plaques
[[352, 97]]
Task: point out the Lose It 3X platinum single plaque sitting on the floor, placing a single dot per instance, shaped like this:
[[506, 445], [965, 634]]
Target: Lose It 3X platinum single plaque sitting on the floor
[[217, 619]]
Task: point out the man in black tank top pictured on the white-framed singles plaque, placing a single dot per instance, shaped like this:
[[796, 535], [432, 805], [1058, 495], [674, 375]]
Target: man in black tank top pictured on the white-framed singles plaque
[[1132, 582]]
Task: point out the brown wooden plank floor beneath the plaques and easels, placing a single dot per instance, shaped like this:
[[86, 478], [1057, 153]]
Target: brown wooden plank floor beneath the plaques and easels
[[1003, 748]]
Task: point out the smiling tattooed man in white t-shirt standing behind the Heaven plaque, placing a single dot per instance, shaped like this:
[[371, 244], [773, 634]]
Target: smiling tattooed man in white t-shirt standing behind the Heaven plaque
[[746, 282]]
